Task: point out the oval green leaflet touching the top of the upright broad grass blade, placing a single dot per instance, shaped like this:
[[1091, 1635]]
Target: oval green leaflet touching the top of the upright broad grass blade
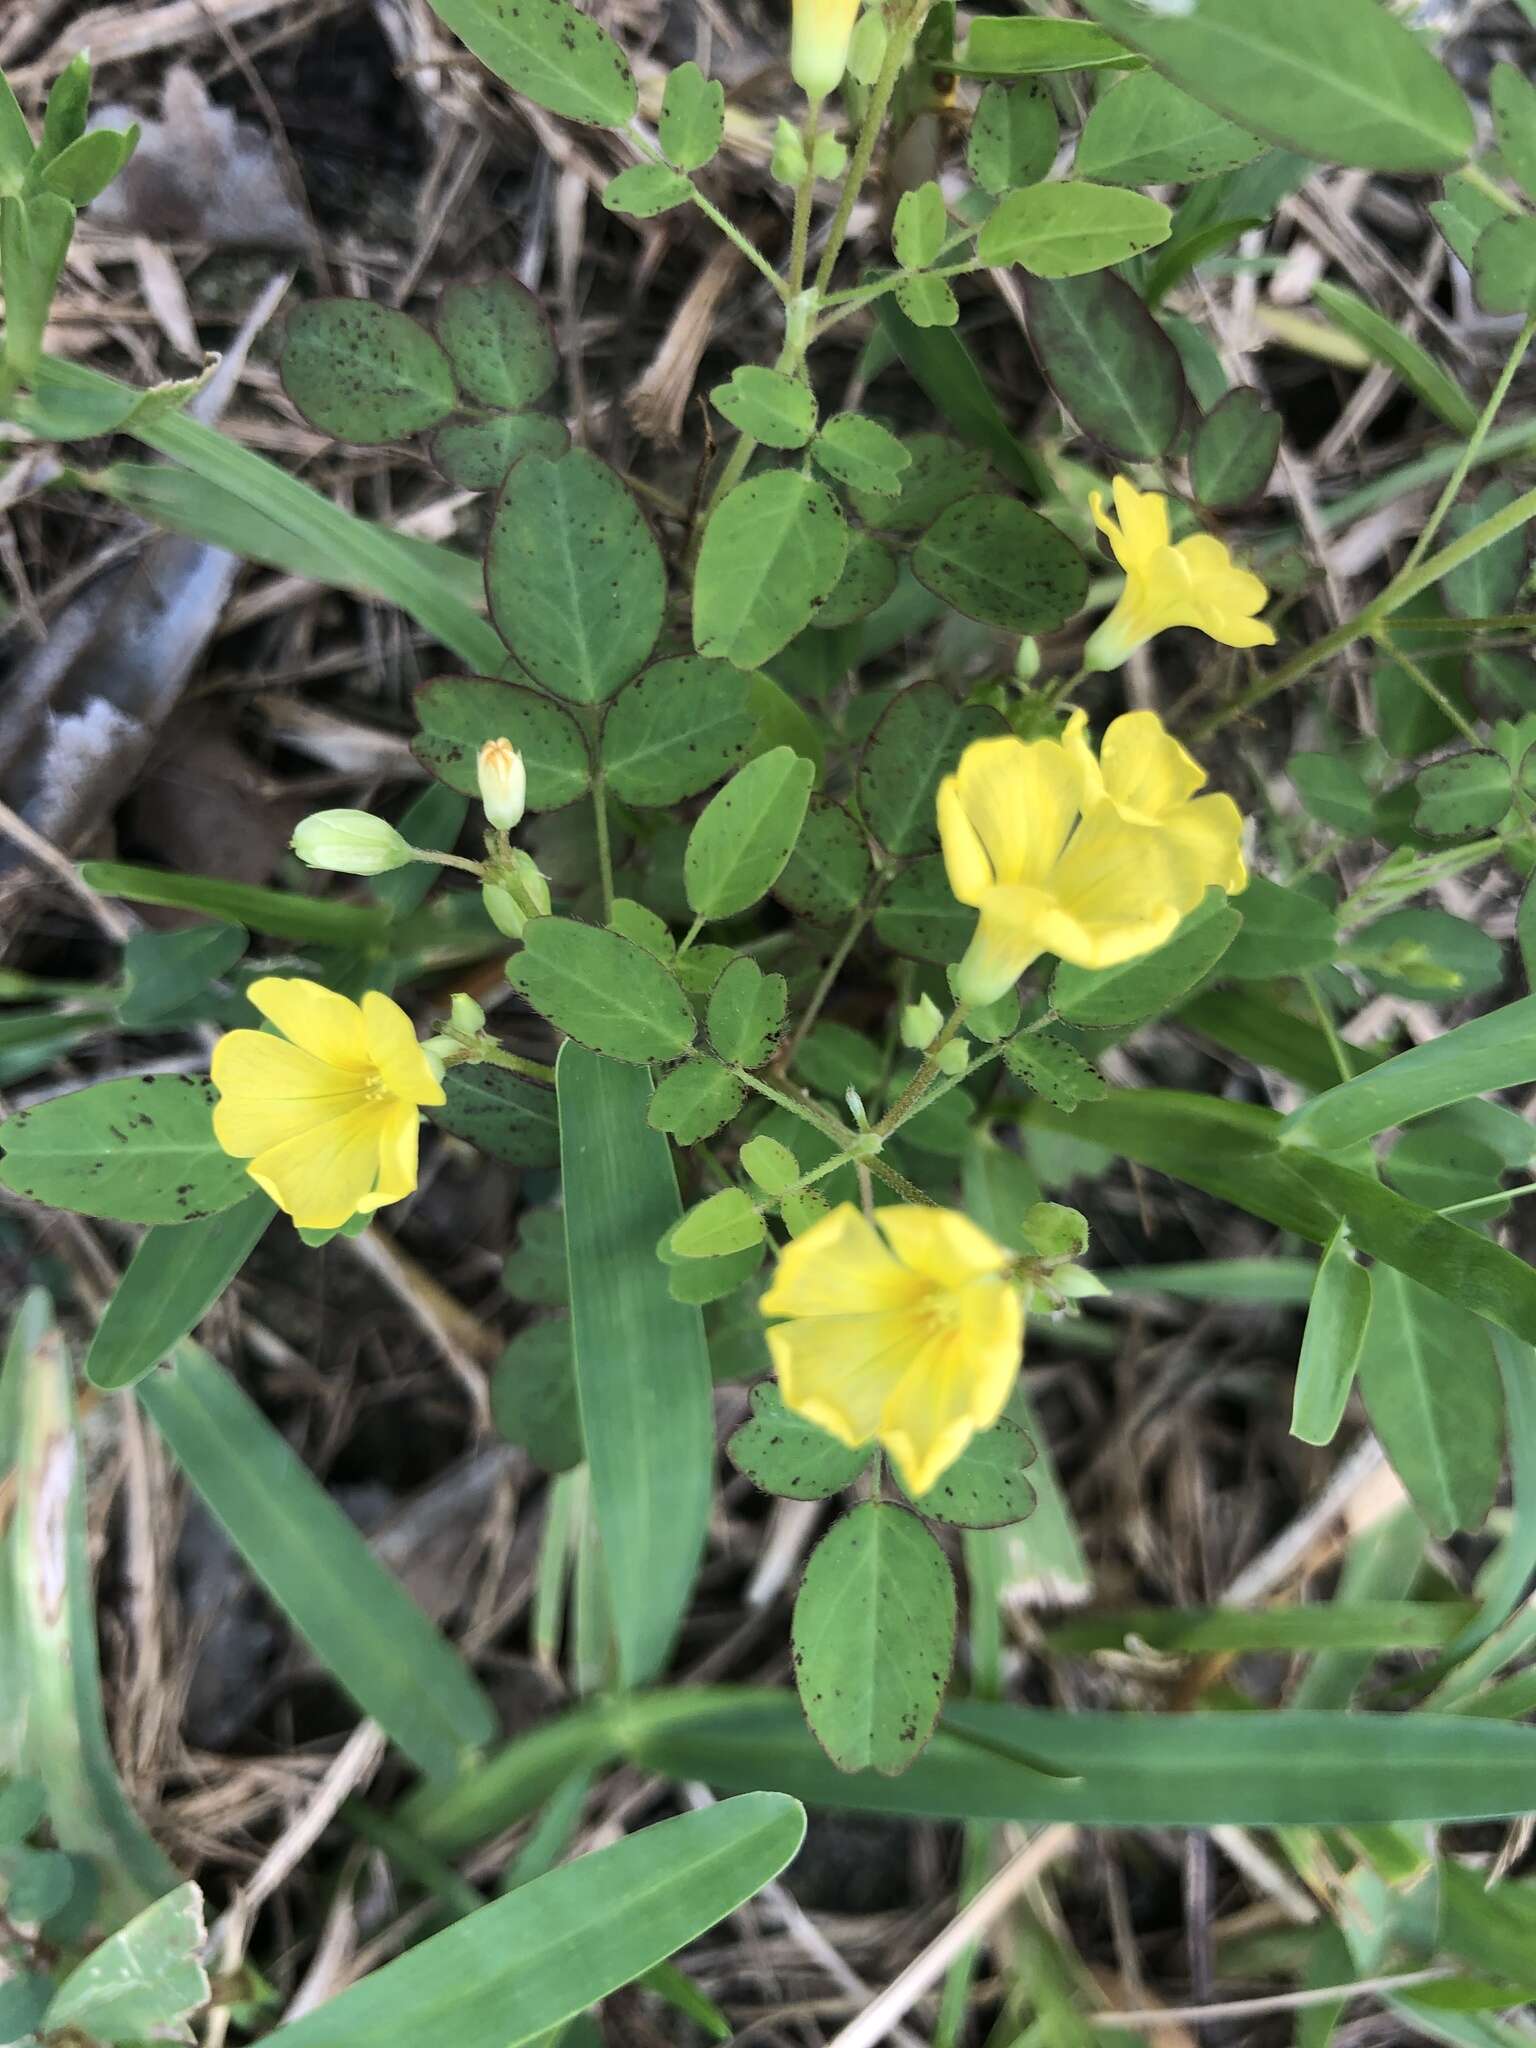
[[603, 990]]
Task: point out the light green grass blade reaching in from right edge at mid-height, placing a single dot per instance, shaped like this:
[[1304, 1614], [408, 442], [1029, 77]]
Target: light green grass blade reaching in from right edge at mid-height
[[1474, 1060]]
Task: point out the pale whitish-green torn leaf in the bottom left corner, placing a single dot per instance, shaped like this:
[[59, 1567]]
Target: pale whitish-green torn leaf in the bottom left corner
[[142, 1981]]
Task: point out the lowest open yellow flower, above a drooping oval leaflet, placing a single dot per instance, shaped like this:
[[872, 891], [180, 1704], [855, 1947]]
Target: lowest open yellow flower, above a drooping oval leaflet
[[906, 1332]]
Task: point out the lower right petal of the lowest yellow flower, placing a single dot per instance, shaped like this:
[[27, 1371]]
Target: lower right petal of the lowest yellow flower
[[955, 1385]]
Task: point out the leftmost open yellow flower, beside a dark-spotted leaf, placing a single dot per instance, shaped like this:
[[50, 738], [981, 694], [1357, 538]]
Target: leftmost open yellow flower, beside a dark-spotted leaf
[[331, 1111]]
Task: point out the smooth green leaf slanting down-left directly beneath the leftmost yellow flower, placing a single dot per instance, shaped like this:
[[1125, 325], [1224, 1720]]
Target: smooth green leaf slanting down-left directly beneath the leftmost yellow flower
[[171, 1285]]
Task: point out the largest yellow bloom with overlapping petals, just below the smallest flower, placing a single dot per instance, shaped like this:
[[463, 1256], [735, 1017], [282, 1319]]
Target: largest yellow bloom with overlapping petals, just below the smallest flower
[[1095, 861]]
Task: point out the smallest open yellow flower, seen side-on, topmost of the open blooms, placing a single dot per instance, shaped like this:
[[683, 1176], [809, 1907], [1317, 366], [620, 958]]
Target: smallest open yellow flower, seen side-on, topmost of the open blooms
[[1193, 585]]
